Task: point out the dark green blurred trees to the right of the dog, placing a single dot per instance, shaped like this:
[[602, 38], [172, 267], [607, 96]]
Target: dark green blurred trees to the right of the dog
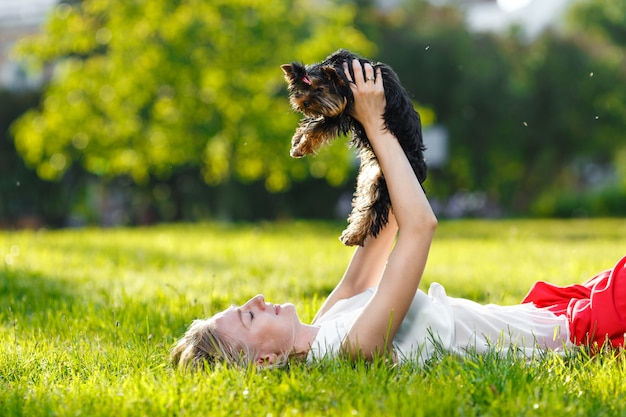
[[519, 113]]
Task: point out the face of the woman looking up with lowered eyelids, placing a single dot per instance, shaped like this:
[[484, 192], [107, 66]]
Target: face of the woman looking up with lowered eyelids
[[267, 328]]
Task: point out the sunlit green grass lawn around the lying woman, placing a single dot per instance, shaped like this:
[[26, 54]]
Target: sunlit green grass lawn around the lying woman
[[88, 317]]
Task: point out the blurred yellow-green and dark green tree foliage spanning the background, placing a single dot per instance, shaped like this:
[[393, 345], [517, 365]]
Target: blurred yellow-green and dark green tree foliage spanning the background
[[162, 90]]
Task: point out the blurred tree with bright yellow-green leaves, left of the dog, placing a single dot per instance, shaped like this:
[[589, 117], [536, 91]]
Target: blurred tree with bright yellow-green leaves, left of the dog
[[142, 87]]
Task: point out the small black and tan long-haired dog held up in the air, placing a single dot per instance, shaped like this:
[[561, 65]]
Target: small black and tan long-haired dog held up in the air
[[322, 93]]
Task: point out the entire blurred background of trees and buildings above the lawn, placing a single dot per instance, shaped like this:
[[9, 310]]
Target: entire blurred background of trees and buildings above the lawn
[[133, 112]]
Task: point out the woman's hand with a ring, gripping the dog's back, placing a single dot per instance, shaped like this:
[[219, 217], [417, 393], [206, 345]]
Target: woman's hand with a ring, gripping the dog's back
[[369, 94]]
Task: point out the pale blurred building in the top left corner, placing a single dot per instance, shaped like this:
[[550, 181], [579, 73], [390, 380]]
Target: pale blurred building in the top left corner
[[20, 18]]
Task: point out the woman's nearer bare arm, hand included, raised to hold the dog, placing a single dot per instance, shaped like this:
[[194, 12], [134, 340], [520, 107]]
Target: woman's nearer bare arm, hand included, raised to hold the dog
[[374, 330]]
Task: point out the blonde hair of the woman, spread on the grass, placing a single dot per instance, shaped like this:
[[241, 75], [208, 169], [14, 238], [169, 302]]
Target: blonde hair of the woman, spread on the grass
[[203, 345]]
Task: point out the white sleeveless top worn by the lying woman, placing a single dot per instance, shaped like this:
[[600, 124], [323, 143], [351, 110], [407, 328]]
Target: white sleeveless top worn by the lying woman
[[436, 321]]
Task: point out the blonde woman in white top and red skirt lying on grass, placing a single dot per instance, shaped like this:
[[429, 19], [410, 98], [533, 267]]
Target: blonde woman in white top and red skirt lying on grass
[[376, 310]]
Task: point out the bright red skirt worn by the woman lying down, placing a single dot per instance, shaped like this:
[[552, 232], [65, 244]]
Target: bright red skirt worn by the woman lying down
[[596, 310]]
